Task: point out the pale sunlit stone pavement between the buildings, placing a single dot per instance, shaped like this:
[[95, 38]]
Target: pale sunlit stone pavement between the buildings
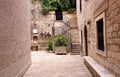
[[50, 65]]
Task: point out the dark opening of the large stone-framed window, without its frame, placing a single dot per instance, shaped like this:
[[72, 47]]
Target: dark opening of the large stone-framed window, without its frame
[[100, 34]]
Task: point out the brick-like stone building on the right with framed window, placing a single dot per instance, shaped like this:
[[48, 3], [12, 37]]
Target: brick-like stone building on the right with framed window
[[99, 29]]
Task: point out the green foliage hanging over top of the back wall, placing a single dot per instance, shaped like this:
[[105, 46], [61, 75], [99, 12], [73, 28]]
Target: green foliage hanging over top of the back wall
[[52, 5]]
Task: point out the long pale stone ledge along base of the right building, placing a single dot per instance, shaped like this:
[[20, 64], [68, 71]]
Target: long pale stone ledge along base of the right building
[[96, 69]]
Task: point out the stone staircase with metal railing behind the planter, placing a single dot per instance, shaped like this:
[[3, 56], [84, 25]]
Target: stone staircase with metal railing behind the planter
[[69, 28]]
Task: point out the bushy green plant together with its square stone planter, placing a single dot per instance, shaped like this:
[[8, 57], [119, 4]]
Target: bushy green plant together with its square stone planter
[[60, 44]]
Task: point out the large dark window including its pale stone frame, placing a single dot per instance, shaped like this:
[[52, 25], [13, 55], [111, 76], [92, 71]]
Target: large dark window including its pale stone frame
[[100, 35]]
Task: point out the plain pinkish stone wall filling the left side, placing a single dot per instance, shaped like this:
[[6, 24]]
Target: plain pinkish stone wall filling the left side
[[14, 37]]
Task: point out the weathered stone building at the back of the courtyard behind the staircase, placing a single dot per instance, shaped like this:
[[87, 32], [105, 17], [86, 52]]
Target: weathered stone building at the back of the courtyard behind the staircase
[[42, 25]]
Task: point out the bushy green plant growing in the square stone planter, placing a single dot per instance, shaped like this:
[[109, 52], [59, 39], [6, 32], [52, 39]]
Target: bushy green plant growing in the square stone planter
[[60, 40]]
